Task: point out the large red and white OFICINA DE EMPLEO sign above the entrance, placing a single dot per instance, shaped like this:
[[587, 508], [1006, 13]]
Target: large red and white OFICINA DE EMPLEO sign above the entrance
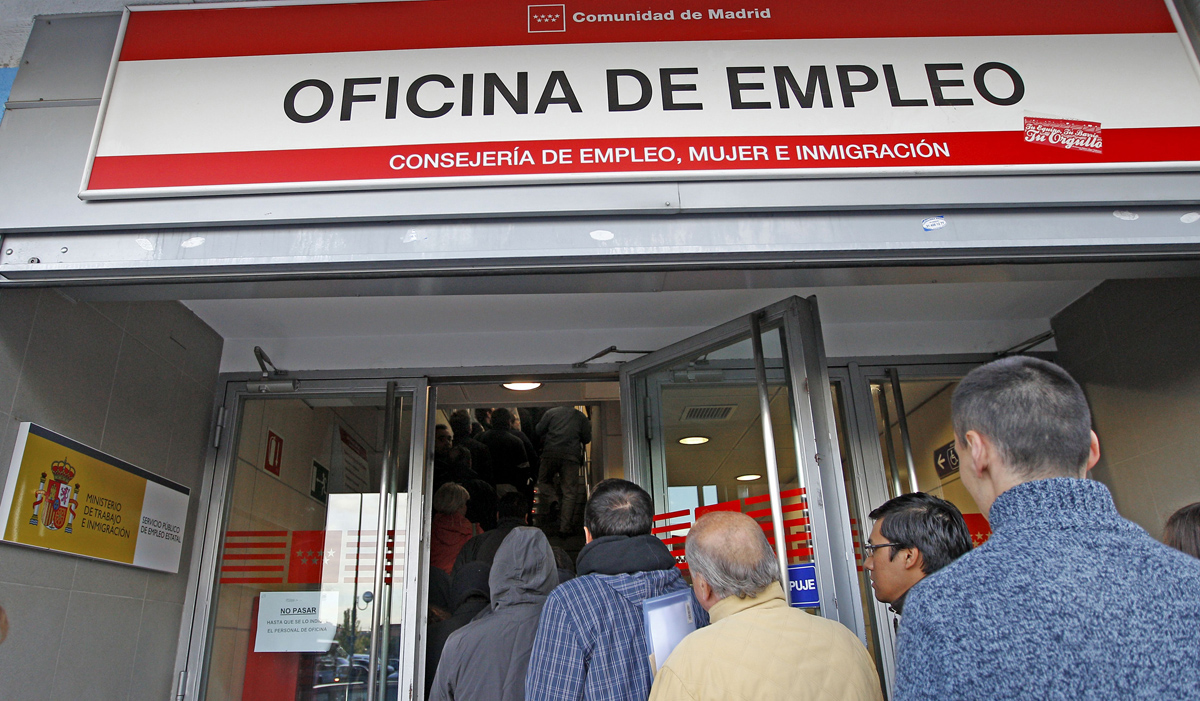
[[236, 99]]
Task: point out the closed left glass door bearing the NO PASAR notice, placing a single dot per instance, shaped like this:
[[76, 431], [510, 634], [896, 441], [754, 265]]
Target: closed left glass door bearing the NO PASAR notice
[[313, 560]]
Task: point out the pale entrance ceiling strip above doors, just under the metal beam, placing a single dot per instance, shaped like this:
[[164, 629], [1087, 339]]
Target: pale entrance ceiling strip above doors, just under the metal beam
[[386, 316]]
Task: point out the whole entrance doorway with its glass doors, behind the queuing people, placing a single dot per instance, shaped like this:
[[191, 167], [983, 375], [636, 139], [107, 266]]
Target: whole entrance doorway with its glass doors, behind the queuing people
[[322, 495]]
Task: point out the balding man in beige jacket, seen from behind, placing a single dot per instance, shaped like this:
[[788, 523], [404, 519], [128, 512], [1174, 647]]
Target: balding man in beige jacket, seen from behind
[[758, 646]]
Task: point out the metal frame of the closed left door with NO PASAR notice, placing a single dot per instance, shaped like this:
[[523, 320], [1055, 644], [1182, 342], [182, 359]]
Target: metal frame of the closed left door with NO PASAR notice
[[215, 501]]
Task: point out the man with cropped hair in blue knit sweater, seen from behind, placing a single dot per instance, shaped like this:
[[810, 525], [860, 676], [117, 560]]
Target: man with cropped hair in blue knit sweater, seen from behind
[[1066, 600]]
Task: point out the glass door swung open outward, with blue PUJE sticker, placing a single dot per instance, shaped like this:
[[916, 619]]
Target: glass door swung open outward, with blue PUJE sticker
[[741, 418]]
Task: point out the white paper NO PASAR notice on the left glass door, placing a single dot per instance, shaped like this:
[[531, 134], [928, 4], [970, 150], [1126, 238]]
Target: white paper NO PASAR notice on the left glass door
[[296, 621]]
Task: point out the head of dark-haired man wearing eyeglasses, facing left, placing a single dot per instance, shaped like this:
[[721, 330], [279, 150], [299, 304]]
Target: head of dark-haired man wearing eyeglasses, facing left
[[914, 537]]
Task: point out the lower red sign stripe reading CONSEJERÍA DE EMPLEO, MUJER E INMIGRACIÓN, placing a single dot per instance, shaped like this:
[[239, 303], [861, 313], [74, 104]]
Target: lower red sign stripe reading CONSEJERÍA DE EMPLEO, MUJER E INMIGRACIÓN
[[631, 157]]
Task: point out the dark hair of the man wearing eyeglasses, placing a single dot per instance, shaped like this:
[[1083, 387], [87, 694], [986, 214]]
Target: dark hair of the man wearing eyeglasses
[[935, 528]]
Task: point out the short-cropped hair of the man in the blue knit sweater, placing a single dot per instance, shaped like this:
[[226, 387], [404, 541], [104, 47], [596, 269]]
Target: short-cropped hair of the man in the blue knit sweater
[[1033, 411]]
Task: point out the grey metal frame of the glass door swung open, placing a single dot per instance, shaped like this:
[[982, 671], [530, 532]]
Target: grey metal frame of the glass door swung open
[[812, 411]]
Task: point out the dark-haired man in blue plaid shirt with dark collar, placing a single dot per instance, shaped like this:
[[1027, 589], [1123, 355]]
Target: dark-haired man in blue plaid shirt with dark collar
[[591, 642]]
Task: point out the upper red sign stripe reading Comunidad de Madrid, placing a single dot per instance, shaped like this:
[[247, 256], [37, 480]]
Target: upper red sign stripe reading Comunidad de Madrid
[[308, 29]]
